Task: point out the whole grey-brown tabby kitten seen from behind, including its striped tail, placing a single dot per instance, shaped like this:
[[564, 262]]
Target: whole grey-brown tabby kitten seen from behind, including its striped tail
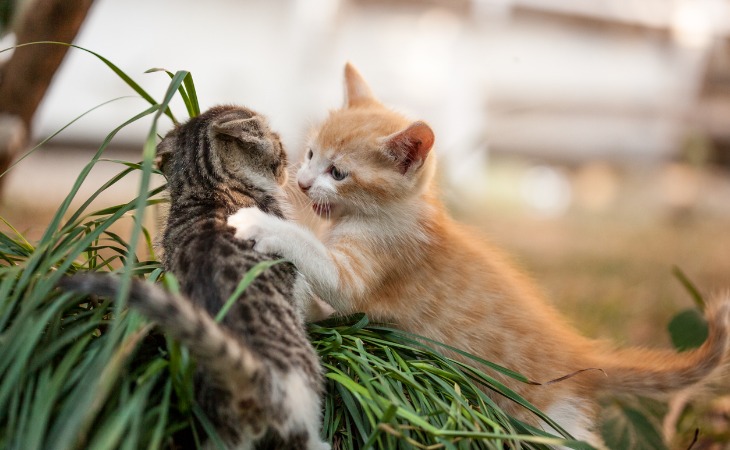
[[259, 379]]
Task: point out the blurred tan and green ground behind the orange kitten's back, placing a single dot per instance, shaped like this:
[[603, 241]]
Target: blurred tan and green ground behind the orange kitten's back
[[616, 281]]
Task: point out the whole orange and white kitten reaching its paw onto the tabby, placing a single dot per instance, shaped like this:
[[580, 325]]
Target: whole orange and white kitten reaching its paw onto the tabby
[[392, 251]]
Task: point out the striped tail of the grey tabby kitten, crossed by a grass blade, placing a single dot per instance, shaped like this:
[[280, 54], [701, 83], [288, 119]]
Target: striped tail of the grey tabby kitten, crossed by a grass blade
[[224, 357]]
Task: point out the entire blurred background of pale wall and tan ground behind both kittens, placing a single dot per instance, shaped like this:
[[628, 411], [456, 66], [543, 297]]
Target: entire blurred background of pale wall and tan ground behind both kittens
[[589, 139]]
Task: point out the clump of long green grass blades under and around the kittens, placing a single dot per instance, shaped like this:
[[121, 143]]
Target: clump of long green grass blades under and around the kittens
[[85, 372]]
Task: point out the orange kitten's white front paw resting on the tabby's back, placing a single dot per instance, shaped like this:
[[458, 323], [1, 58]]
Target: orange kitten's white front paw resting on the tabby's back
[[254, 224]]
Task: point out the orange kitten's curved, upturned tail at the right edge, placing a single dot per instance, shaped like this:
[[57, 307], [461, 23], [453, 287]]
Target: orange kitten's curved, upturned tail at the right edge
[[642, 371]]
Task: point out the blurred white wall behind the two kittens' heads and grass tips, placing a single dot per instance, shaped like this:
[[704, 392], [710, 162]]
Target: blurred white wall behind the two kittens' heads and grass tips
[[486, 79]]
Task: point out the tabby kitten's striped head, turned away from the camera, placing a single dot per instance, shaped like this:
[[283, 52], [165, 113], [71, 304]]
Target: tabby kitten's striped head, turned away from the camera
[[226, 147]]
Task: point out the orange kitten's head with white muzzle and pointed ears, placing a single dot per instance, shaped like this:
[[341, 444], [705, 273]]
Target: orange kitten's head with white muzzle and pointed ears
[[365, 157]]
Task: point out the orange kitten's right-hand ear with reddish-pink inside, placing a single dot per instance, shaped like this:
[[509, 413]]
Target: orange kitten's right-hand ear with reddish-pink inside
[[411, 146]]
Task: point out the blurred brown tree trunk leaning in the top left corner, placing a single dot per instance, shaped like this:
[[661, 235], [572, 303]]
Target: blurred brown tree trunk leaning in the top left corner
[[25, 78]]
